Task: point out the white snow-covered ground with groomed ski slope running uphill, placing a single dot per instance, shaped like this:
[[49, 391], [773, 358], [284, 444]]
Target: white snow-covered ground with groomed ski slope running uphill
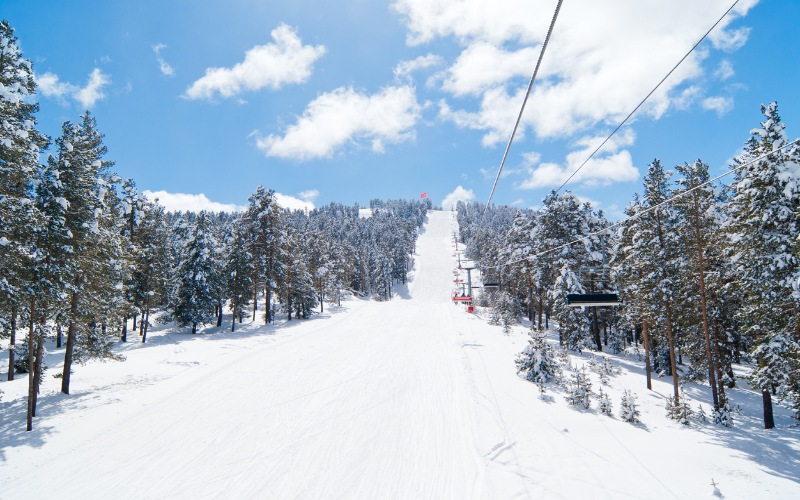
[[412, 398]]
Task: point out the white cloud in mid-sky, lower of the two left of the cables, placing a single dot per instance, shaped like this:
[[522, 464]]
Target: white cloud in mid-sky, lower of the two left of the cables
[[345, 116]]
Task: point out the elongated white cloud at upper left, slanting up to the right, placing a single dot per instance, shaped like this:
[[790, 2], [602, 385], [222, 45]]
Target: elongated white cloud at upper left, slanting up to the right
[[273, 65]]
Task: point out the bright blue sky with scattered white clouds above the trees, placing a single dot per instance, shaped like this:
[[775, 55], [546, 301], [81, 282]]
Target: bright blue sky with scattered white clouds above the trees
[[357, 99]]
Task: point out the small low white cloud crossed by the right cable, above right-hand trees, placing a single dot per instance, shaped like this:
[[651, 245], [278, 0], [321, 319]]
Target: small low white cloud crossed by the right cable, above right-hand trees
[[612, 164]]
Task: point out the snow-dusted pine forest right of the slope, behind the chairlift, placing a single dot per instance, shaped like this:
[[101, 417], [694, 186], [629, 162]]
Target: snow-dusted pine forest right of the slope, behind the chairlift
[[709, 275]]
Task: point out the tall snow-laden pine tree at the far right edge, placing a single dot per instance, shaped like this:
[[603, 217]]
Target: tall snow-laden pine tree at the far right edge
[[762, 231]]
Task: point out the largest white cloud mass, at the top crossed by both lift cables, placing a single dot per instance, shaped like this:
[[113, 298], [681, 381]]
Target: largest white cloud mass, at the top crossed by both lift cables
[[604, 57]]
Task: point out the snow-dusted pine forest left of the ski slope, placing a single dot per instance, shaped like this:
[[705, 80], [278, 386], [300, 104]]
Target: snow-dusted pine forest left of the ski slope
[[83, 254]]
